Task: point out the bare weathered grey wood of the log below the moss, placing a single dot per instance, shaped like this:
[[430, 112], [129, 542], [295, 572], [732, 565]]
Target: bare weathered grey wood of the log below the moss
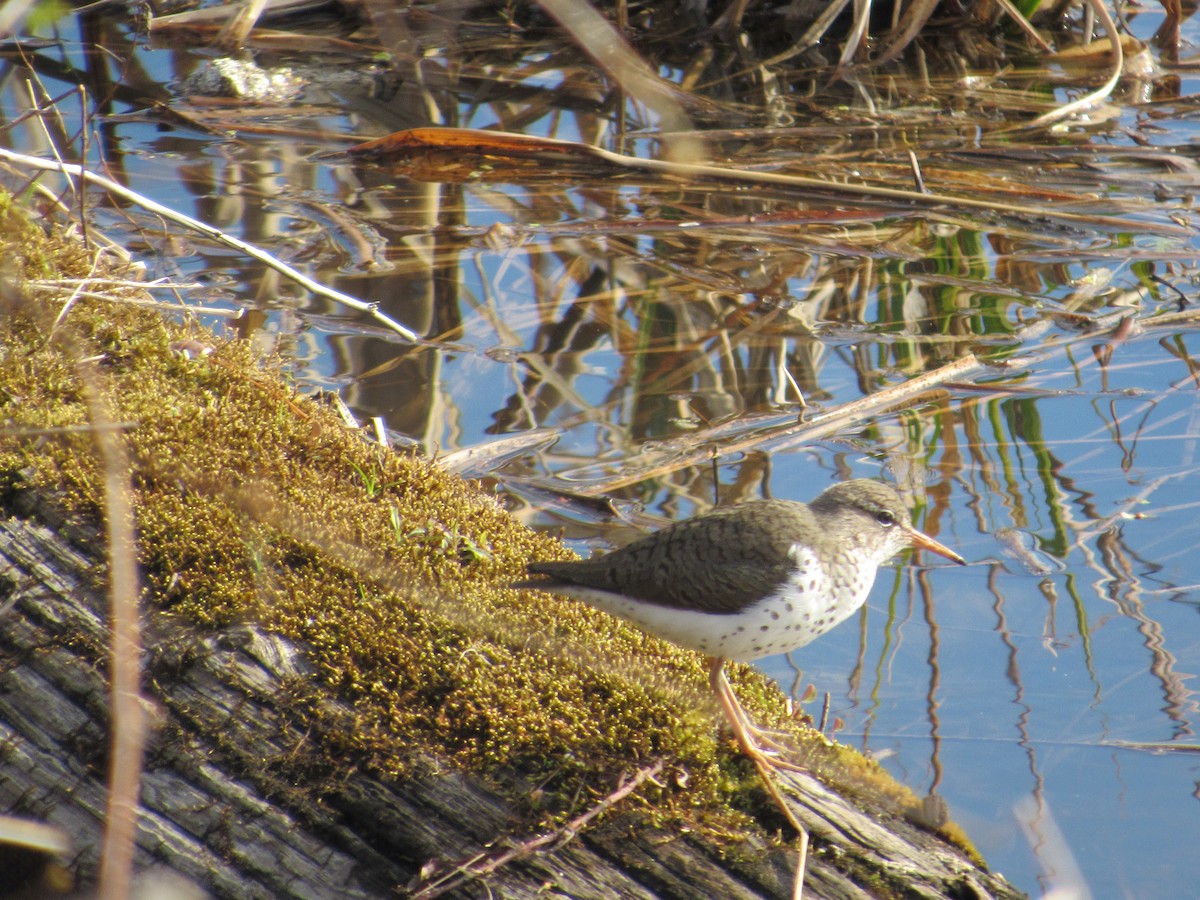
[[229, 805]]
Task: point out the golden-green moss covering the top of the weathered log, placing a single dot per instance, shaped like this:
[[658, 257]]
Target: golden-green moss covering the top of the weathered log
[[257, 503]]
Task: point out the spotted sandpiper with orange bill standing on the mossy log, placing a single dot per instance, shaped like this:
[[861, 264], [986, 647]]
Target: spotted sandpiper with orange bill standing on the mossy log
[[749, 581]]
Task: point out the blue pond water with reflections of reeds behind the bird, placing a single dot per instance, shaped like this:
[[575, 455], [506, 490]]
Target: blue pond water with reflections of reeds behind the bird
[[665, 332]]
